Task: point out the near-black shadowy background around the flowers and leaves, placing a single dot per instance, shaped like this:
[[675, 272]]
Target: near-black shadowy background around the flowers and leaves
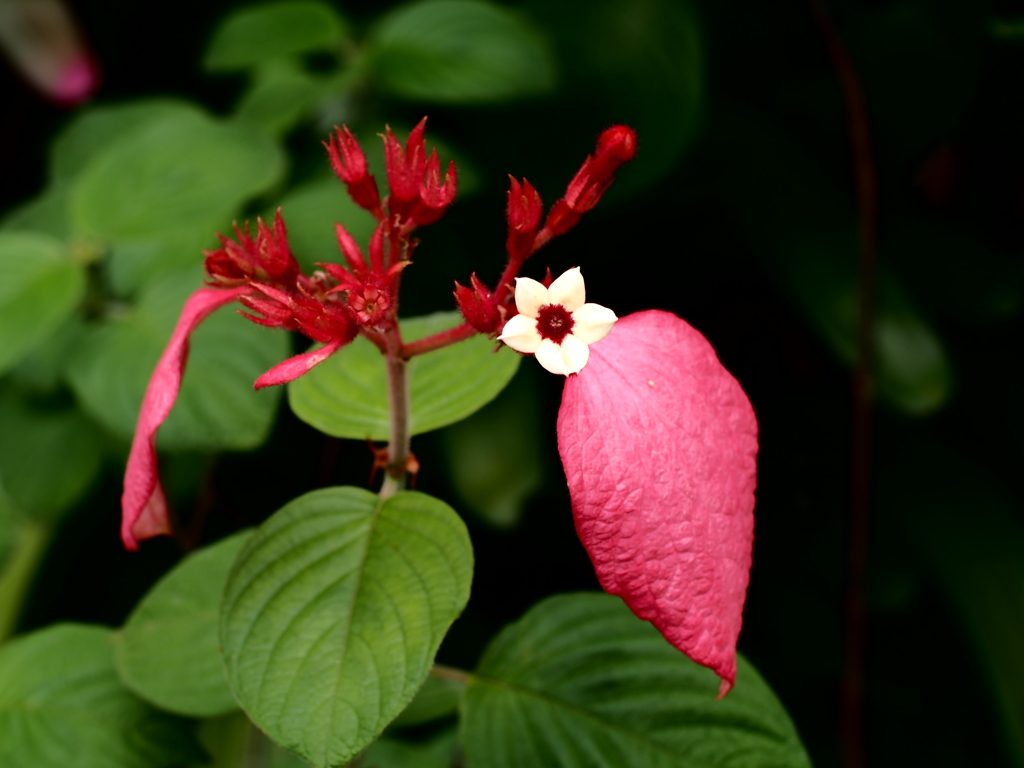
[[946, 106]]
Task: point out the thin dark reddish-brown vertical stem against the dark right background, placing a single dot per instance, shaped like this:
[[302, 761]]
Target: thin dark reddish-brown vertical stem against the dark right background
[[852, 693]]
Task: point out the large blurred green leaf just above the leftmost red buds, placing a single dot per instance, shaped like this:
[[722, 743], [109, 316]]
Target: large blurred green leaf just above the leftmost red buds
[[159, 195]]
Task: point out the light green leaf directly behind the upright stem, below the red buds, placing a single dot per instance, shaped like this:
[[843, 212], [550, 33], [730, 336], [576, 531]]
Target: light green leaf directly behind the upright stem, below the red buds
[[347, 396]]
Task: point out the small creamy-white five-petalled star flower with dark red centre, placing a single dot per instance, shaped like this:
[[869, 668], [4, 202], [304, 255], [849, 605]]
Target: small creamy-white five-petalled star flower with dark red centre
[[556, 325]]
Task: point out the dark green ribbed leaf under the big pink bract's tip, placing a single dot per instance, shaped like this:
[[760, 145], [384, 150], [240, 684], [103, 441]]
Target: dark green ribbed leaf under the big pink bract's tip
[[580, 681]]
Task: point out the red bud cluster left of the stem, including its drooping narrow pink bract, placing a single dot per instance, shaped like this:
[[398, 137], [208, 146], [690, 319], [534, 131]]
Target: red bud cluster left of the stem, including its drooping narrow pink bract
[[332, 307]]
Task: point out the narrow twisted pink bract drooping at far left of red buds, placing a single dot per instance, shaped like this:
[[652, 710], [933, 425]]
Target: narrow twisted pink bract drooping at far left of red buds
[[144, 508]]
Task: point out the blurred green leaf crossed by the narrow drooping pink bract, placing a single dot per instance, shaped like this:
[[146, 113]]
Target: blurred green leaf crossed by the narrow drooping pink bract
[[217, 408]]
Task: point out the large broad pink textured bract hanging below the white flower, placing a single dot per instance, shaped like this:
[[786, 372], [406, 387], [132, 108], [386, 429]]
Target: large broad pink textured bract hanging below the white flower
[[660, 443]]
